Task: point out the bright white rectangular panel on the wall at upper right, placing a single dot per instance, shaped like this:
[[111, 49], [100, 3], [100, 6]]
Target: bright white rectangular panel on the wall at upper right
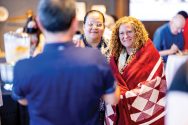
[[156, 10]]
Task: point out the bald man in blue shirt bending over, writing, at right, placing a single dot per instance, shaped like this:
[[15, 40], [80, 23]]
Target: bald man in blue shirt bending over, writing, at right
[[168, 38]]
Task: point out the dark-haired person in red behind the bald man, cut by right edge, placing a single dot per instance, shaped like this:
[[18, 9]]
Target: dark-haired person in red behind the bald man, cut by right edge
[[185, 29]]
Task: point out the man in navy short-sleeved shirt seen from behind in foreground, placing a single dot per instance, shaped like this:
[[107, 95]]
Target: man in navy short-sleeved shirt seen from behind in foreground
[[59, 86]]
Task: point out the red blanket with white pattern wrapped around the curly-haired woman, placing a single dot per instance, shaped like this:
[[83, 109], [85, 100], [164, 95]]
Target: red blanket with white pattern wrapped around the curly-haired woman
[[143, 88]]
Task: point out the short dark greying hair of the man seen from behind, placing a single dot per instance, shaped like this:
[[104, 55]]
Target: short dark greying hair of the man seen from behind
[[56, 15]]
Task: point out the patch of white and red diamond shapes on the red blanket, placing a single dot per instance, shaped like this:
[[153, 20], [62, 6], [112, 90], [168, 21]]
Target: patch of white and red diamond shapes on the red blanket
[[146, 105]]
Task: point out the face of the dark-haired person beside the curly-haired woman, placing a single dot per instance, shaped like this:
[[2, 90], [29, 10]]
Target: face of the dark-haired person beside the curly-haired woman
[[94, 26]]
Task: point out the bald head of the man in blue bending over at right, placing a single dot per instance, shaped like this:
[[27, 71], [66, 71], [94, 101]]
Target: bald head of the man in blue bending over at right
[[176, 24]]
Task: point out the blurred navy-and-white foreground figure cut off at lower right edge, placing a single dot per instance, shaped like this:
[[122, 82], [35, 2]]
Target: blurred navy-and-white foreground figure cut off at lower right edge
[[177, 98]]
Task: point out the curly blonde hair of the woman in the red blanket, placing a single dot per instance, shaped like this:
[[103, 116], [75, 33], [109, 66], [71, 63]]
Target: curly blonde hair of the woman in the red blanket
[[140, 38]]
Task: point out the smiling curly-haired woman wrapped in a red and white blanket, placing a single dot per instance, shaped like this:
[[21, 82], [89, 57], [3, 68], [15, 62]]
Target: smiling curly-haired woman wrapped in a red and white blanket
[[139, 71]]
